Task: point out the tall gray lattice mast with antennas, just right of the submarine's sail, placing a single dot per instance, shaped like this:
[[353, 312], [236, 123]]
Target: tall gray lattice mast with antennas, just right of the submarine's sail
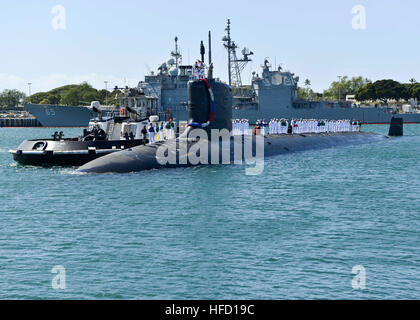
[[235, 65]]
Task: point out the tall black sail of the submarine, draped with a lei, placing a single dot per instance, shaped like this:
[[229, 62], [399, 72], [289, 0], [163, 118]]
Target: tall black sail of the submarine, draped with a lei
[[209, 105]]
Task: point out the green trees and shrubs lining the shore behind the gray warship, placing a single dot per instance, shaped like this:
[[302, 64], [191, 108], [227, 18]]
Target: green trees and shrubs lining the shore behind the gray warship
[[379, 92]]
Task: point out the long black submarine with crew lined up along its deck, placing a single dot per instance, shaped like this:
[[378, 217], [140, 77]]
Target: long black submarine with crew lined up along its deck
[[208, 139]]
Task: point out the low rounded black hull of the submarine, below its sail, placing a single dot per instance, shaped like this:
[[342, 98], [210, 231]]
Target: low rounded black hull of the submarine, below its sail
[[146, 157]]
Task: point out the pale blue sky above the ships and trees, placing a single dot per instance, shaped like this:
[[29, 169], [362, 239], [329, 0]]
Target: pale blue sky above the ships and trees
[[122, 41]]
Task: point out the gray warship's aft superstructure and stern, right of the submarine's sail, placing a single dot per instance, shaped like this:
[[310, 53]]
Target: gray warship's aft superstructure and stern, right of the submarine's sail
[[274, 94]]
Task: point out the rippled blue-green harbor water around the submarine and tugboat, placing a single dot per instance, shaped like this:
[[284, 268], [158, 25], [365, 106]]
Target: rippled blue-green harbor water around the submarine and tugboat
[[294, 232]]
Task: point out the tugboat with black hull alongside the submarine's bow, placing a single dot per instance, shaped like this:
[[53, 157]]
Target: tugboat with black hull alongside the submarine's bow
[[125, 129]]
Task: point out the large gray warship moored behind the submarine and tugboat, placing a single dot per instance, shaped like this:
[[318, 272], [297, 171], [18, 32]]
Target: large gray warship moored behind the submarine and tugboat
[[273, 94]]
